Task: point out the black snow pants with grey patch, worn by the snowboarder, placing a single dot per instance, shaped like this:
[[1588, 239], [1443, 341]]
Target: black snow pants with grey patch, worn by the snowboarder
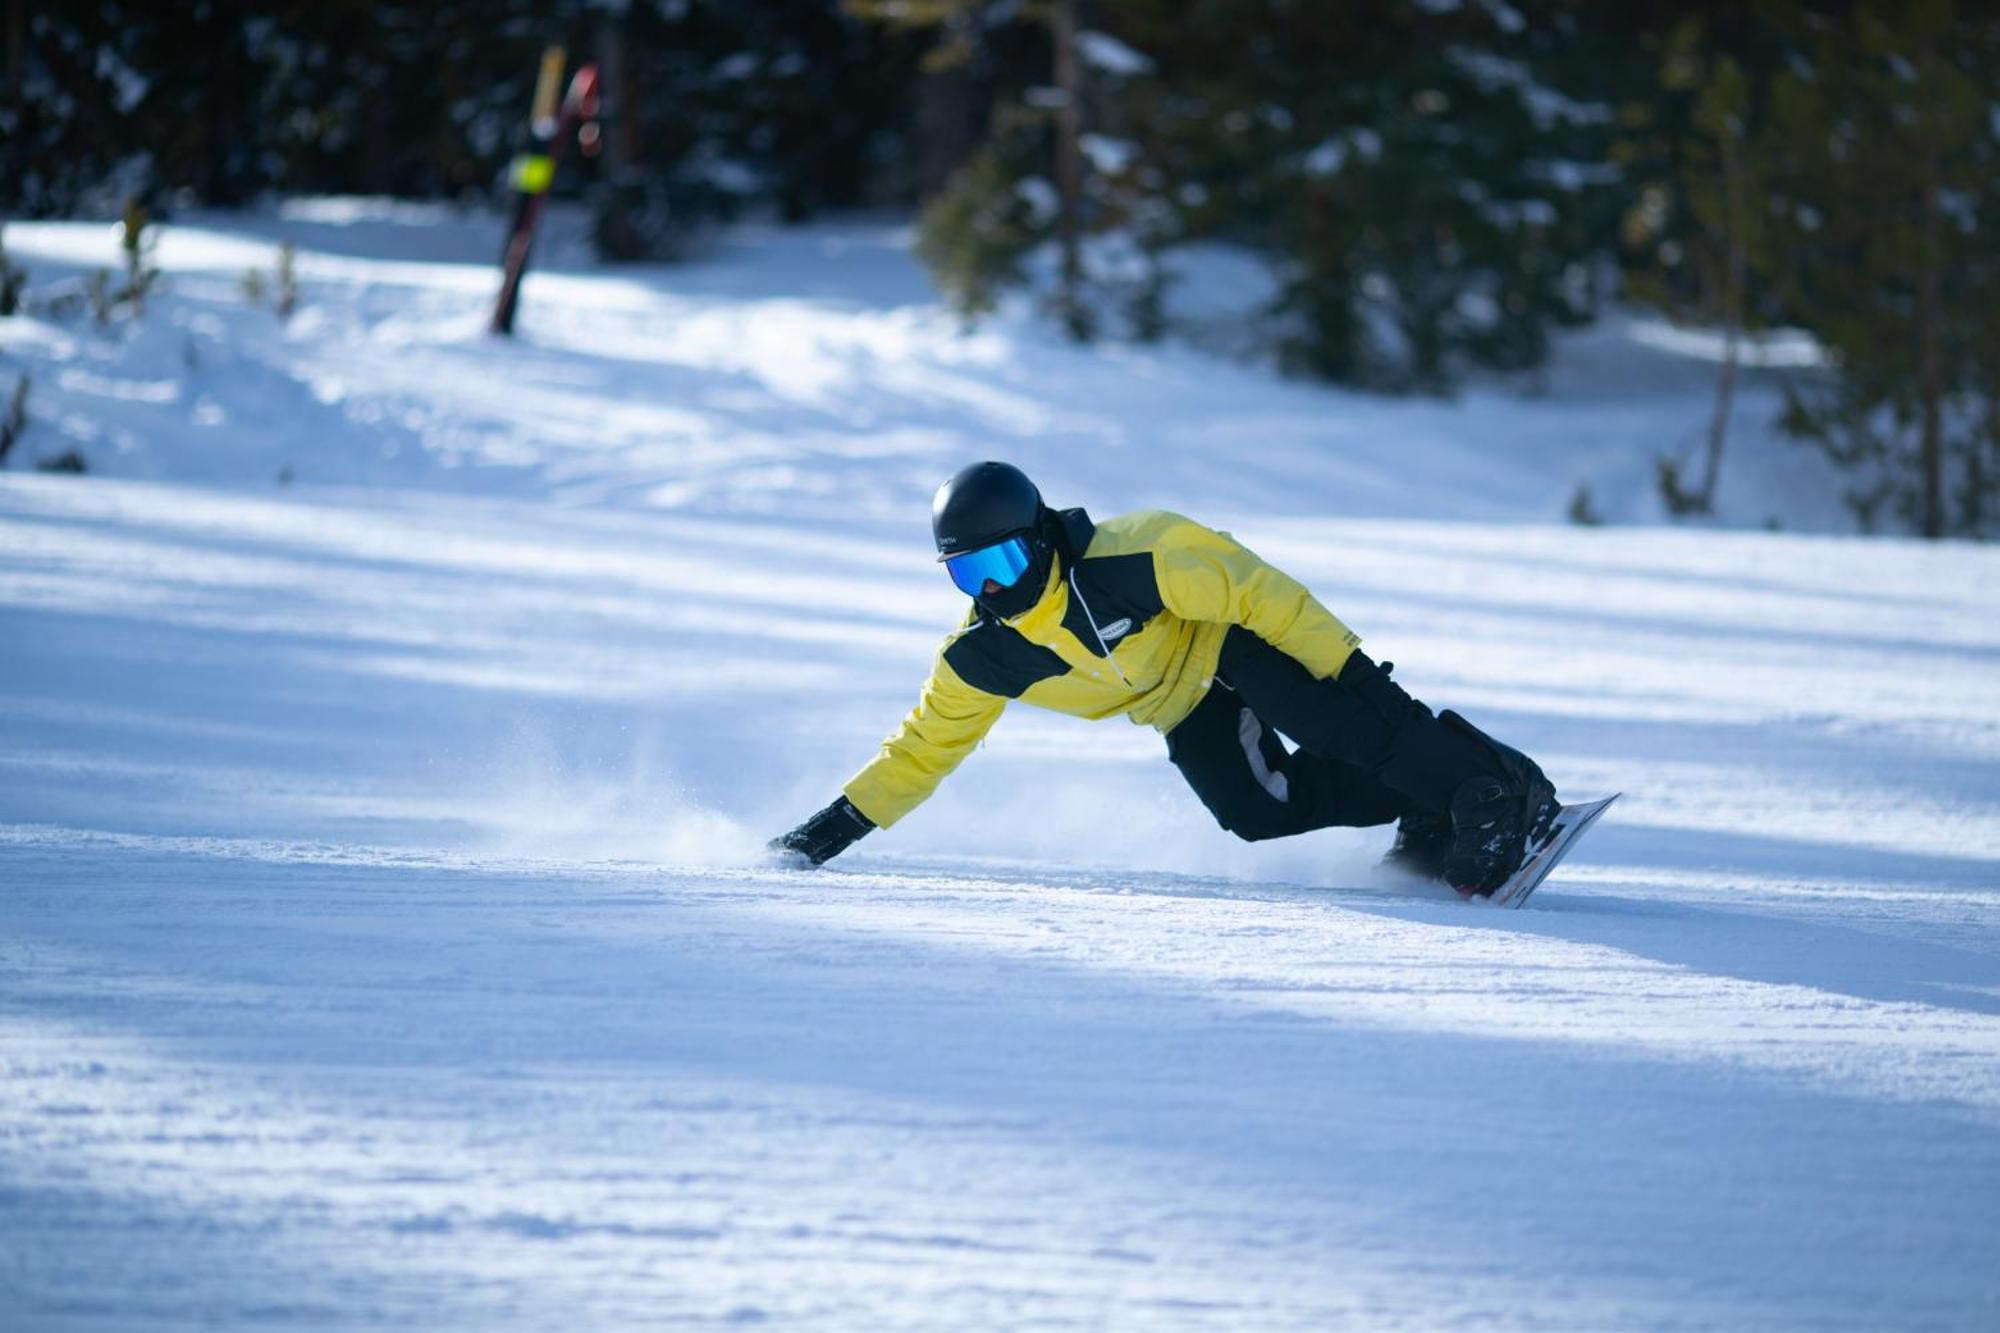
[[1253, 784]]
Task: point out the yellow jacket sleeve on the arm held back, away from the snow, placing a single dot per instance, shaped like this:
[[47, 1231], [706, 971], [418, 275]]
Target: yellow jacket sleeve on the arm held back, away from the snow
[[1209, 575]]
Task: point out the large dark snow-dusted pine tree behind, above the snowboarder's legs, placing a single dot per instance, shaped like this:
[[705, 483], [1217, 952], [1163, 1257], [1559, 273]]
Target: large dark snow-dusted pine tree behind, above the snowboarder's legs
[[1429, 179]]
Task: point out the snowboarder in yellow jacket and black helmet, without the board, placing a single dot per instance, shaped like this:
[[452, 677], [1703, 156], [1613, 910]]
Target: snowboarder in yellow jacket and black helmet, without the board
[[1183, 627]]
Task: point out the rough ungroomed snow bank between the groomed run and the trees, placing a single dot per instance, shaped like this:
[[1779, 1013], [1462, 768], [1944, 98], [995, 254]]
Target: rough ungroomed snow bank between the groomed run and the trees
[[813, 369]]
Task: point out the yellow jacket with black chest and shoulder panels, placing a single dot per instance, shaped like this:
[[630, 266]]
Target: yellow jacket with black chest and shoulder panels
[[1135, 627]]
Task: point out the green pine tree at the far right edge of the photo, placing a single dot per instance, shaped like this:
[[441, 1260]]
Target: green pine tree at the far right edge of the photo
[[1891, 141]]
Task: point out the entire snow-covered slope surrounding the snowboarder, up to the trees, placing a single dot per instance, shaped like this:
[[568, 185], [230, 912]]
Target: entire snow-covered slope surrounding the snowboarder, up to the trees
[[385, 938]]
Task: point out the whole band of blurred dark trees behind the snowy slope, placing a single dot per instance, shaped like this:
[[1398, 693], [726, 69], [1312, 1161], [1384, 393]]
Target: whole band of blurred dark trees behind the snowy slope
[[1437, 187]]
